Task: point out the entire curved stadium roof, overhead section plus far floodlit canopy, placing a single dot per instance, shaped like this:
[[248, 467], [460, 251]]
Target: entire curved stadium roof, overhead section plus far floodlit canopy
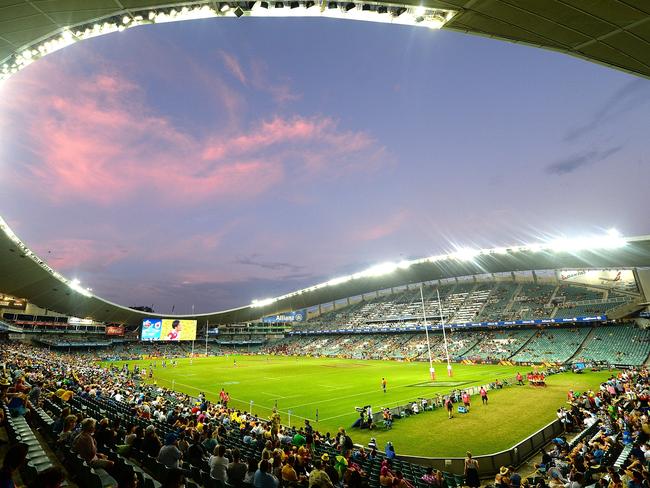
[[615, 33]]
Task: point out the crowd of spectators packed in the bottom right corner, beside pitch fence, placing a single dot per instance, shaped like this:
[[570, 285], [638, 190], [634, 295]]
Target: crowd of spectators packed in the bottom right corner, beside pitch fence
[[612, 450]]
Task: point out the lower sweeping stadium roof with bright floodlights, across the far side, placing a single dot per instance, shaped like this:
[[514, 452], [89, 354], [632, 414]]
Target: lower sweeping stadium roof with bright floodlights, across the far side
[[25, 275]]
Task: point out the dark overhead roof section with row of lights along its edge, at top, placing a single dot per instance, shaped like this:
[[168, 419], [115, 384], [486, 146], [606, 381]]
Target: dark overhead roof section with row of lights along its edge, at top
[[615, 33]]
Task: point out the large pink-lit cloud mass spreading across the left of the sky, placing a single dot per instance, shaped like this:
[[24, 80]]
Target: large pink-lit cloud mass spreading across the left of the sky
[[98, 141]]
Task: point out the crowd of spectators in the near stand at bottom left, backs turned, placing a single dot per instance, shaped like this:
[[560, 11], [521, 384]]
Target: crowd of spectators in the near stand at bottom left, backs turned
[[185, 435]]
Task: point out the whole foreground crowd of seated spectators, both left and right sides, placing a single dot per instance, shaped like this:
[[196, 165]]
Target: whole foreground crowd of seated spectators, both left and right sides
[[605, 444]]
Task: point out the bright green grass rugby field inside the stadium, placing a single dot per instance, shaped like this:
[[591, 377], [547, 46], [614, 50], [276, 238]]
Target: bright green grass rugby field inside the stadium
[[336, 386]]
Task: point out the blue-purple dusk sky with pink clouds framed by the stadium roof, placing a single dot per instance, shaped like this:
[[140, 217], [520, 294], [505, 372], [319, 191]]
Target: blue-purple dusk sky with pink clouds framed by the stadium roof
[[212, 162]]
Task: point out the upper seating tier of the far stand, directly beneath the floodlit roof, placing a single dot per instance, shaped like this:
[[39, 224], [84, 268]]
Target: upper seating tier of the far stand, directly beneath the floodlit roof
[[466, 302]]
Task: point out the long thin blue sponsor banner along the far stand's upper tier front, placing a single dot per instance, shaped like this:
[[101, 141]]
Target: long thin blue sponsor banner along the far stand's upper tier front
[[420, 328]]
